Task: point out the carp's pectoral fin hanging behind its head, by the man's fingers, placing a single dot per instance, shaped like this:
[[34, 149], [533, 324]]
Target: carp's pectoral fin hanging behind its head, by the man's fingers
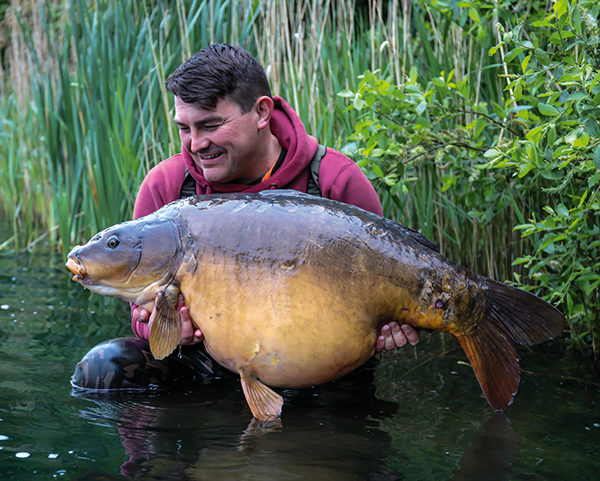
[[165, 332]]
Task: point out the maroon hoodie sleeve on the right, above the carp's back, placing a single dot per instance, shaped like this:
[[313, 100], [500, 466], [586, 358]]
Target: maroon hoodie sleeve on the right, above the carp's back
[[342, 180]]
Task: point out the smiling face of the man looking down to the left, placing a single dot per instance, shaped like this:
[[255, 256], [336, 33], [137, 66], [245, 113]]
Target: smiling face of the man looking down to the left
[[223, 142]]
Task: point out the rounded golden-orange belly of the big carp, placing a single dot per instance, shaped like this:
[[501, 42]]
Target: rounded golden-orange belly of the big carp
[[289, 327]]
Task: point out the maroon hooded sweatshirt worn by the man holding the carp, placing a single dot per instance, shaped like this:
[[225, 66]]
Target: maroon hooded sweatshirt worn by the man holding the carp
[[339, 177]]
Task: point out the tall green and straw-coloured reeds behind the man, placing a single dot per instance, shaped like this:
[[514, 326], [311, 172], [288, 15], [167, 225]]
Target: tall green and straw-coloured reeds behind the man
[[91, 114]]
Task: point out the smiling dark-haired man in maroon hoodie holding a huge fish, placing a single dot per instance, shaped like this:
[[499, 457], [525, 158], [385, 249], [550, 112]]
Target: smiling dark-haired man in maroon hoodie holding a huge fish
[[236, 137]]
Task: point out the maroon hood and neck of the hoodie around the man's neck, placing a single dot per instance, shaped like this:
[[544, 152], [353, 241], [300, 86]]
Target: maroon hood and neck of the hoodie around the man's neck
[[301, 147]]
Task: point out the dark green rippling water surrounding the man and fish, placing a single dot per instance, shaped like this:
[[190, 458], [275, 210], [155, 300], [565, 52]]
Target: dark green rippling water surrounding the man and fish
[[415, 415]]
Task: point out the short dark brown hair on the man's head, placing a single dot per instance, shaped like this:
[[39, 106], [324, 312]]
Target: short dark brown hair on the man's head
[[218, 72]]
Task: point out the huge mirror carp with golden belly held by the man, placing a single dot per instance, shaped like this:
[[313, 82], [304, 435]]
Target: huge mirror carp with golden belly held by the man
[[290, 290]]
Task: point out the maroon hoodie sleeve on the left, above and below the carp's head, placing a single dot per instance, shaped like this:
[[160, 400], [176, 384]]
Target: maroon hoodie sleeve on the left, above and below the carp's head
[[161, 186]]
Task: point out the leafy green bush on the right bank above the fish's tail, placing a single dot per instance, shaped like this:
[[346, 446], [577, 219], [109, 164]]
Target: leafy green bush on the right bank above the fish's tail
[[470, 170]]
